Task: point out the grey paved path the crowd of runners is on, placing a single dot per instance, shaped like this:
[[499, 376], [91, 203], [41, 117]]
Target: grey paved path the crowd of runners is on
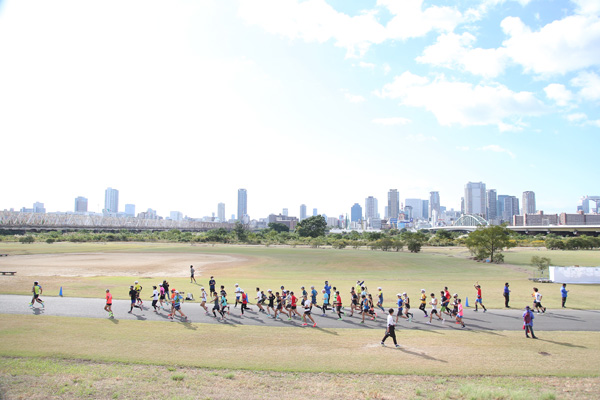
[[493, 320]]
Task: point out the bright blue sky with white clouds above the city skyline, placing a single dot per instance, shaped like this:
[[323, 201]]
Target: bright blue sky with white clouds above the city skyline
[[179, 104]]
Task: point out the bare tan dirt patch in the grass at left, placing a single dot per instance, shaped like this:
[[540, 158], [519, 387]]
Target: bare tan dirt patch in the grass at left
[[114, 264]]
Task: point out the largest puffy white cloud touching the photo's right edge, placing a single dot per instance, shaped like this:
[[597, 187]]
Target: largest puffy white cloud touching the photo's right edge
[[562, 46]]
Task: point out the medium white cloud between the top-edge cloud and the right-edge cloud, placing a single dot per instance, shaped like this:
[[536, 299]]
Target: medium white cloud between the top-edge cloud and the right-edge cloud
[[456, 51]]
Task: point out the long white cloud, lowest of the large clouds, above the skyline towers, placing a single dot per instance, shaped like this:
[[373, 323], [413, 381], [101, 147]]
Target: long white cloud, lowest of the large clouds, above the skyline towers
[[463, 103]]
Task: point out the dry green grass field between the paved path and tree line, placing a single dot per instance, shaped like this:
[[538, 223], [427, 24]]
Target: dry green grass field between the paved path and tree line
[[272, 267]]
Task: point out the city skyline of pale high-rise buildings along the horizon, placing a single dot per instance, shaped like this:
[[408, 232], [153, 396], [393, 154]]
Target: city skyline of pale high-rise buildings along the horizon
[[412, 213]]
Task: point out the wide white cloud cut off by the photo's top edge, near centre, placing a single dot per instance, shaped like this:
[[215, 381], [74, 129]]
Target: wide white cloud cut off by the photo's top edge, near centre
[[317, 21]]
